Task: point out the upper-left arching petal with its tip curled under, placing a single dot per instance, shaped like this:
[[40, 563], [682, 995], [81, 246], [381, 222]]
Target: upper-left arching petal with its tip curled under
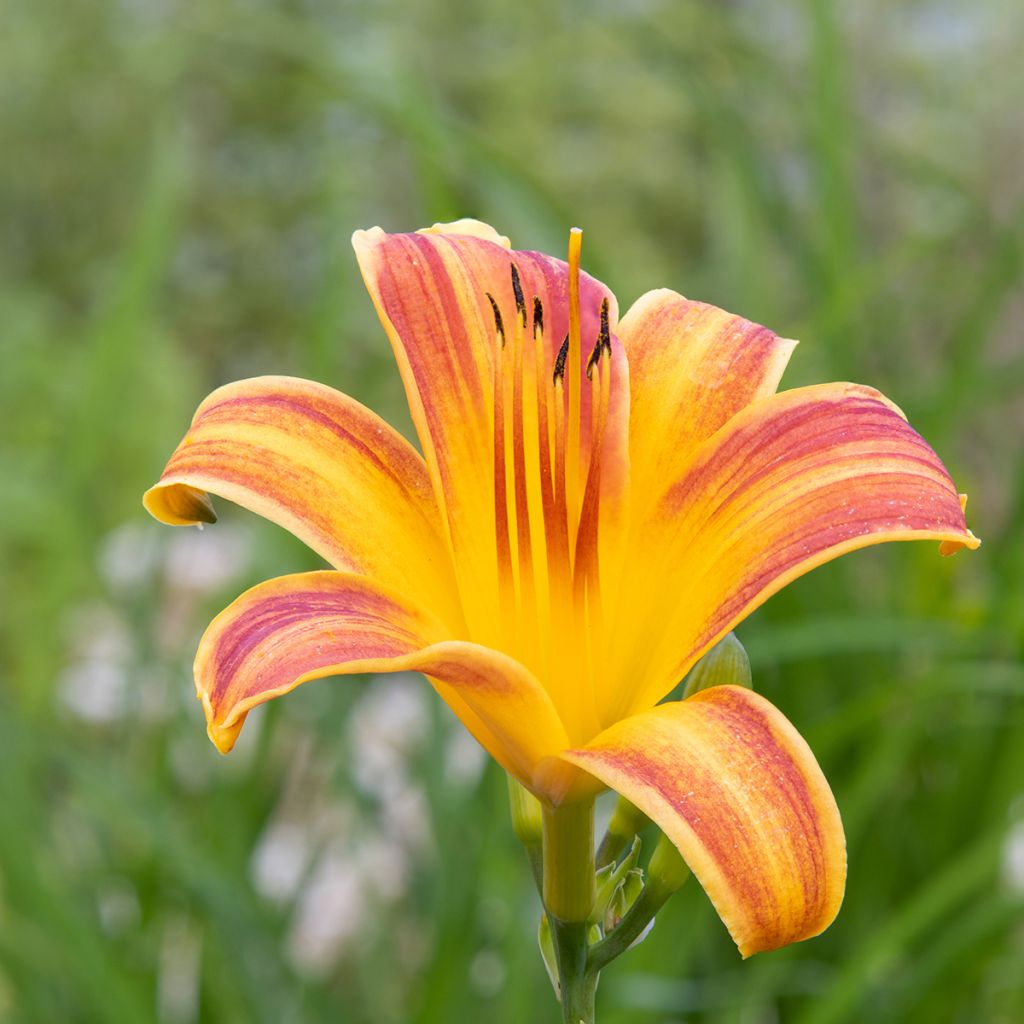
[[324, 467]]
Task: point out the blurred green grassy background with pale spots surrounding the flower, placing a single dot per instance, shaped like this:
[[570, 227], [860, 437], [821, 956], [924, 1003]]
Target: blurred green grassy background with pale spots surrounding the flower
[[179, 185]]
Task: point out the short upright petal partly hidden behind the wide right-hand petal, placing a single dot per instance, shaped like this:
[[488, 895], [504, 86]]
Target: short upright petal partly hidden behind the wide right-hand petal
[[693, 367]]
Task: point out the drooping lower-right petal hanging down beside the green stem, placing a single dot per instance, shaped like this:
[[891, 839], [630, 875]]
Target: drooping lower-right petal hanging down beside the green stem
[[733, 784]]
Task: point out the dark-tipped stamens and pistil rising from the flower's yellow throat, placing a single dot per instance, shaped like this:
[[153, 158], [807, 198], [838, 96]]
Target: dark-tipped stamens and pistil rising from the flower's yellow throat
[[547, 481]]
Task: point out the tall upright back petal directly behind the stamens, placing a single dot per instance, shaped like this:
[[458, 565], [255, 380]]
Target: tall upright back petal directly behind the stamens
[[432, 292]]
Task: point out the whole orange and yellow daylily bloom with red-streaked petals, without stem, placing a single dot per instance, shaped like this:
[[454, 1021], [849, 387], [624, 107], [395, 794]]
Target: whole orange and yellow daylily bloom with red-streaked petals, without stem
[[598, 503]]
